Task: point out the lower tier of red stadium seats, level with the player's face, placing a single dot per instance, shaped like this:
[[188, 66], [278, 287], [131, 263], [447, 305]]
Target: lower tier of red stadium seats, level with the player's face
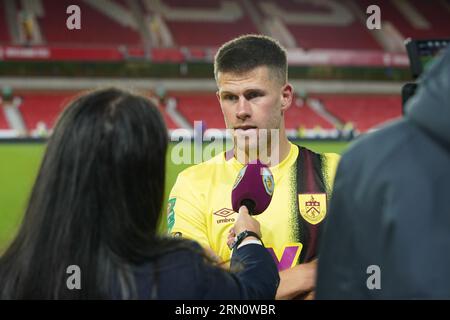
[[364, 111]]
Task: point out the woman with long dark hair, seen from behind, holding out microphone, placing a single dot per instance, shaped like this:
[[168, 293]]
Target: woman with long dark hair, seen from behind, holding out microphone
[[96, 204]]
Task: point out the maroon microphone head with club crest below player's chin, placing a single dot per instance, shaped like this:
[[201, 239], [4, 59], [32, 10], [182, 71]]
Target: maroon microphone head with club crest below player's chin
[[253, 188]]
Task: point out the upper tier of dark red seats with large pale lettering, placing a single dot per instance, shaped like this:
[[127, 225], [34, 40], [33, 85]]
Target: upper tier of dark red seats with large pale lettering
[[334, 25]]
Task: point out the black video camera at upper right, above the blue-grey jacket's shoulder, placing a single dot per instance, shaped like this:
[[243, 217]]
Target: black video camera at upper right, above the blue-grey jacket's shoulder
[[420, 53]]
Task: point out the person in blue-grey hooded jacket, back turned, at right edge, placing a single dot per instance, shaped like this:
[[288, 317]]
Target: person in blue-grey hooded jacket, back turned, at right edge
[[388, 233]]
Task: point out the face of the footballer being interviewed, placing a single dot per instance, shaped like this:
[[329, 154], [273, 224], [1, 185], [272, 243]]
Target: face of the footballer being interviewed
[[252, 101]]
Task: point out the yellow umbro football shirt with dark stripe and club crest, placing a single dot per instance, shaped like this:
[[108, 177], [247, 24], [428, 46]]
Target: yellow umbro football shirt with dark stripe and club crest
[[200, 207]]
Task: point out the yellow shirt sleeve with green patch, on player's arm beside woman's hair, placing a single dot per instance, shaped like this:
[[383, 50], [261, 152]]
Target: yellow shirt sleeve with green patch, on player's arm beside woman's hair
[[186, 211]]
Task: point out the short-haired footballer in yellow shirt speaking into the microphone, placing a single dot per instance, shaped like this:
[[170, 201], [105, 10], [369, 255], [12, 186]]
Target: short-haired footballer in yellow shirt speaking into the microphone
[[254, 94]]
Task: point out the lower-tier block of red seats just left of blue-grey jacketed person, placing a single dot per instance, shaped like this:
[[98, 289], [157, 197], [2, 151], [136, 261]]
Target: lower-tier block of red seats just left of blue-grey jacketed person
[[364, 111]]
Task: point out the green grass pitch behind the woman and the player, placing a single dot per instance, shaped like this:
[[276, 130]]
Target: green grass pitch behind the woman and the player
[[19, 164]]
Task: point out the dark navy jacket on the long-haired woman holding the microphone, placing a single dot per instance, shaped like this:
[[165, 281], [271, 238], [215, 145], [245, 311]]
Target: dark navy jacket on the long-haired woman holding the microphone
[[184, 274]]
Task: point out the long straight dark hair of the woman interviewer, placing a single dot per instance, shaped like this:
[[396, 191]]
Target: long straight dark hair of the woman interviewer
[[96, 202]]
